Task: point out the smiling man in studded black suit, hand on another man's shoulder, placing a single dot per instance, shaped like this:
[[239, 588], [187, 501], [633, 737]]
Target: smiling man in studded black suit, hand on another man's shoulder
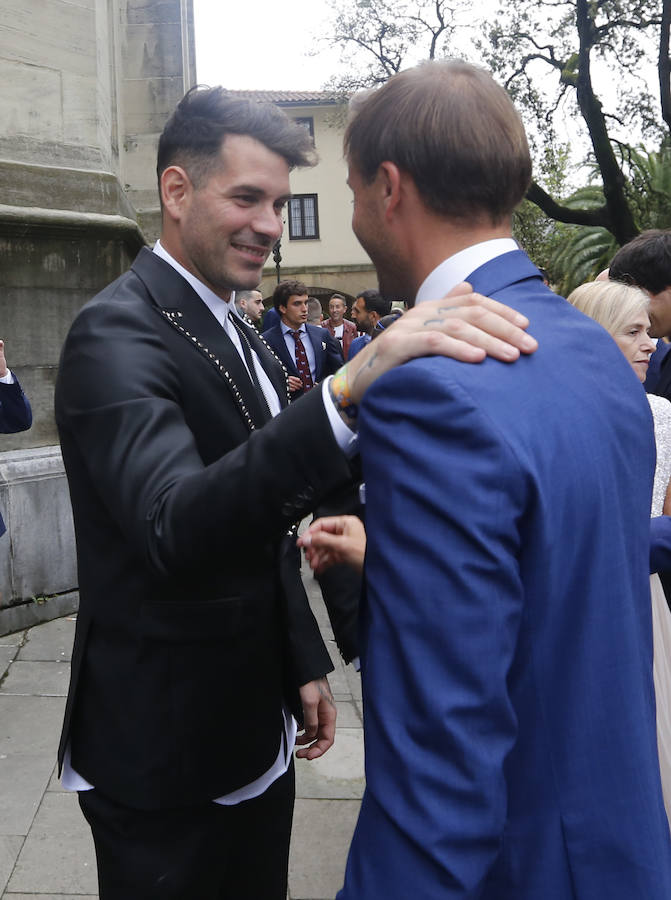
[[191, 653]]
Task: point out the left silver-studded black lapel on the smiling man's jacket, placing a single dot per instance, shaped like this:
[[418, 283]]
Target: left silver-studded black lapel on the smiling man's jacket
[[183, 309]]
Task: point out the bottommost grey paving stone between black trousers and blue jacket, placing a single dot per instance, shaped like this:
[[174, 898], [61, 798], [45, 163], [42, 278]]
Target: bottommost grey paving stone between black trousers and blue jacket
[[322, 834]]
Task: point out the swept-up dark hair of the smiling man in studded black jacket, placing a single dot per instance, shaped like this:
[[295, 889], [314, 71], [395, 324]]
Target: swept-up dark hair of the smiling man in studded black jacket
[[193, 135]]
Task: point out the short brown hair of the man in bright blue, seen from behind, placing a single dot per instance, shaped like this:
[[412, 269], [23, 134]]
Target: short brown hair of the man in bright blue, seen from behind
[[454, 130]]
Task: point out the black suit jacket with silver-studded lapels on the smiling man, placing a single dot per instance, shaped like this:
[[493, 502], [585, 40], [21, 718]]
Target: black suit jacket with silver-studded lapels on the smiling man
[[186, 645]]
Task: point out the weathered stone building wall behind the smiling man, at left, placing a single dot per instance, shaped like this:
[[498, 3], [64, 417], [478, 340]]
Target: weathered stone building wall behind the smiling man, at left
[[89, 85]]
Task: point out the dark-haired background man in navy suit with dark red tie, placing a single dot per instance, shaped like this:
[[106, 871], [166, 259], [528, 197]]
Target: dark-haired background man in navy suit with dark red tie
[[308, 352]]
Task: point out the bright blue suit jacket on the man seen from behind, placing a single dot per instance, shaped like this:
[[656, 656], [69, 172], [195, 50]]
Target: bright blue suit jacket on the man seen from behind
[[506, 630]]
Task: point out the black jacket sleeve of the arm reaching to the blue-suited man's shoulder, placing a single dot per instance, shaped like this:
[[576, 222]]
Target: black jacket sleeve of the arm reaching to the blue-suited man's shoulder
[[125, 425]]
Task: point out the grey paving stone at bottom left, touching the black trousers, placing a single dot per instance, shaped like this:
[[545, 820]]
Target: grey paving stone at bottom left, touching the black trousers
[[58, 856]]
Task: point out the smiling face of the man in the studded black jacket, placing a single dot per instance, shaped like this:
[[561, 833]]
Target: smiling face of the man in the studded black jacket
[[223, 230]]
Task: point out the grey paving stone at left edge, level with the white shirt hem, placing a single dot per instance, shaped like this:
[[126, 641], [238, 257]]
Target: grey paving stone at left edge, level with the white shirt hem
[[23, 780]]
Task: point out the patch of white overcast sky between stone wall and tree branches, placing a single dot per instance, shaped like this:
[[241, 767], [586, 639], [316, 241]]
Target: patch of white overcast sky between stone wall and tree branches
[[258, 44]]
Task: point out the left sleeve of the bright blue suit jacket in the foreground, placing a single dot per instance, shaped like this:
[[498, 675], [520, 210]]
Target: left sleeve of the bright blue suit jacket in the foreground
[[439, 624]]
